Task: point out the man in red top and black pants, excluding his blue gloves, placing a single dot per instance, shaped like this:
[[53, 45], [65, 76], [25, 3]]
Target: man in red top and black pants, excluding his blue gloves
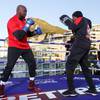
[[18, 46]]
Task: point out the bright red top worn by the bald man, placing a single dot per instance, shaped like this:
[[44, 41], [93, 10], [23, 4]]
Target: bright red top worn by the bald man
[[16, 24]]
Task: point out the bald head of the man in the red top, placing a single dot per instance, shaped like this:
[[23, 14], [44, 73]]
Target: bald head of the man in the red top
[[21, 11]]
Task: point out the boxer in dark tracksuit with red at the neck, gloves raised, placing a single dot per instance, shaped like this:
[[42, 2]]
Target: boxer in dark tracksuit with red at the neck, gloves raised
[[80, 27]]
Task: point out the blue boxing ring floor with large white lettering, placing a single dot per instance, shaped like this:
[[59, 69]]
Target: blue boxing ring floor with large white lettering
[[52, 88]]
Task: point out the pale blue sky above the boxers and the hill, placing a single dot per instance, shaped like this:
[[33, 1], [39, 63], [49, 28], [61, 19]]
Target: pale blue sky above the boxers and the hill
[[48, 10]]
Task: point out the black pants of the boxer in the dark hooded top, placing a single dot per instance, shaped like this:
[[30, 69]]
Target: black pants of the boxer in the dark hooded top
[[79, 55]]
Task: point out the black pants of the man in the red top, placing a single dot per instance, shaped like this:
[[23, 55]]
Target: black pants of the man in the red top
[[13, 55]]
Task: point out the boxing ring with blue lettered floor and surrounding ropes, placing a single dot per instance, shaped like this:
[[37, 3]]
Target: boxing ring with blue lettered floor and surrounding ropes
[[51, 81]]
